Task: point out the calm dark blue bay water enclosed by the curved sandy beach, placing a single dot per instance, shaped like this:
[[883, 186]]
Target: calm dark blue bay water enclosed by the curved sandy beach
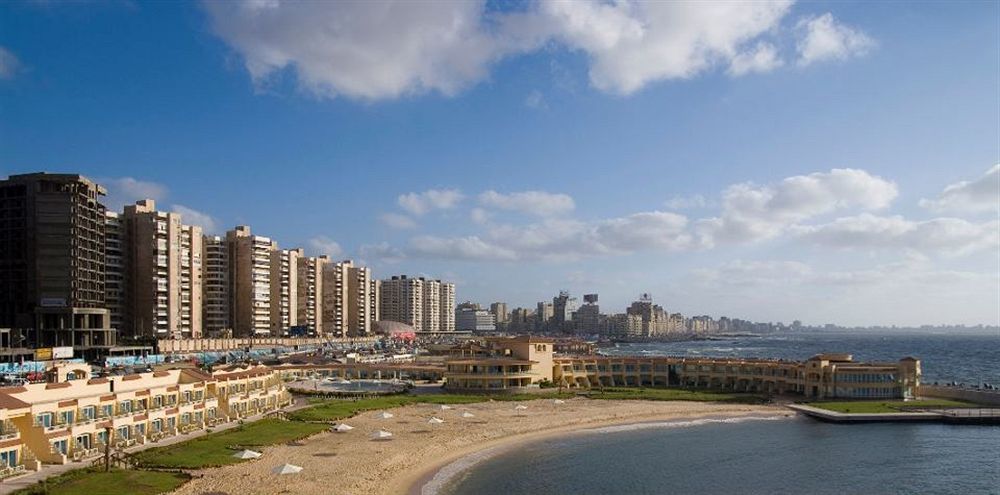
[[790, 456]]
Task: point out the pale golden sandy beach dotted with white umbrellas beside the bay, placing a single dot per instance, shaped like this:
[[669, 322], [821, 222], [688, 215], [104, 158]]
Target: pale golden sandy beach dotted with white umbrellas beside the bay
[[353, 464]]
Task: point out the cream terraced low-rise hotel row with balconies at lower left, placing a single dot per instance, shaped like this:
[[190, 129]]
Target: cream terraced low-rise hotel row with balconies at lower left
[[74, 418]]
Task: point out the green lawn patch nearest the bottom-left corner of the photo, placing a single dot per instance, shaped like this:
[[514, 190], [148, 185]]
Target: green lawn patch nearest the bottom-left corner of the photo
[[115, 482]]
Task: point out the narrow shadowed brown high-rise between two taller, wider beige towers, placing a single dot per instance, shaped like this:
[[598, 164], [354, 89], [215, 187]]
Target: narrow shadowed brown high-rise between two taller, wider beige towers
[[216, 314]]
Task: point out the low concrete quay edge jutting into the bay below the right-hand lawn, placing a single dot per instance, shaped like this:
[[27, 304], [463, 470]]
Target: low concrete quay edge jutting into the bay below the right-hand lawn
[[989, 416]]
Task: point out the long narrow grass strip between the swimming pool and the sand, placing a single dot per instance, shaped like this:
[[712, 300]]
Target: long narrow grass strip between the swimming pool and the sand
[[332, 410]]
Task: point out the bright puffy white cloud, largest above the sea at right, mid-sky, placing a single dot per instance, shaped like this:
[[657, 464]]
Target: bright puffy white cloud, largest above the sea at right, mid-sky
[[751, 212]]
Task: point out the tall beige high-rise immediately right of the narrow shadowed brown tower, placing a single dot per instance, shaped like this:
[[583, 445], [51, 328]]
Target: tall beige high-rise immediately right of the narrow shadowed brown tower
[[250, 282]]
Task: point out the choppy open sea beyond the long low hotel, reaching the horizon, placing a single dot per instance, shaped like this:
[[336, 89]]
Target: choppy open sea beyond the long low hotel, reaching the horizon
[[964, 358]]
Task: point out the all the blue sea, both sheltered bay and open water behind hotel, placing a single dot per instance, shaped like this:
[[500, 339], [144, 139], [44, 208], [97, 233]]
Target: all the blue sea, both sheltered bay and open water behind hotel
[[767, 455]]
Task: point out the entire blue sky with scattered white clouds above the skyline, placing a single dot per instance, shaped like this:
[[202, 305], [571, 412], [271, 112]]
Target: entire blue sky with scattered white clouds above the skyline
[[831, 162]]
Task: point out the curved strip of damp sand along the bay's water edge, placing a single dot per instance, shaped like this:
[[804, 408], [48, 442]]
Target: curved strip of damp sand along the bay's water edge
[[431, 479]]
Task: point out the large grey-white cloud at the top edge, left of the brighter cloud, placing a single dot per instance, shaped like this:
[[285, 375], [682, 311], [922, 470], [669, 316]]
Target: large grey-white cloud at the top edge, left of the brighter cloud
[[366, 50]]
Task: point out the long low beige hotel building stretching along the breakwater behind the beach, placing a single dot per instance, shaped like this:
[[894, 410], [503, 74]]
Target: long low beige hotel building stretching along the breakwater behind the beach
[[513, 364]]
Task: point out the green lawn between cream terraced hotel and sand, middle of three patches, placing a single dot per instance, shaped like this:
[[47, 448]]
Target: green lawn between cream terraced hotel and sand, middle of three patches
[[216, 449]]
